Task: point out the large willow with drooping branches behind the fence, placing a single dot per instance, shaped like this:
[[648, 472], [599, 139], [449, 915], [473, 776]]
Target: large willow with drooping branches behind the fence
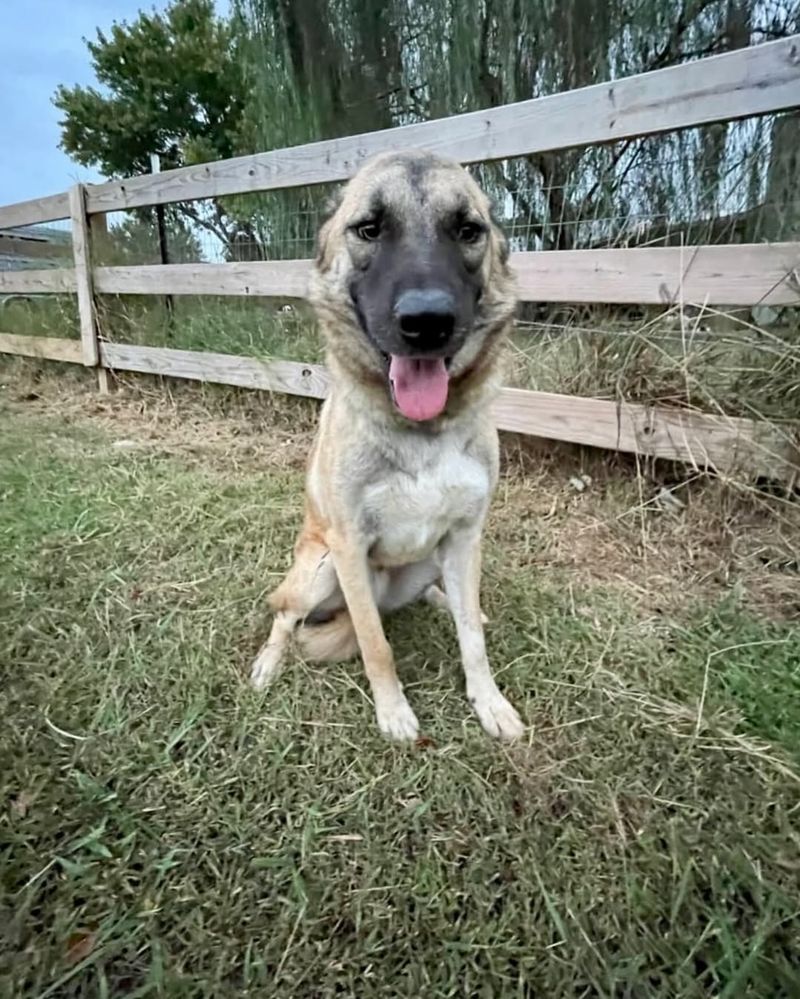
[[324, 68]]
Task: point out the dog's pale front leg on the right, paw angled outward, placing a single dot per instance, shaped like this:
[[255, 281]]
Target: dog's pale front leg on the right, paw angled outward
[[461, 569]]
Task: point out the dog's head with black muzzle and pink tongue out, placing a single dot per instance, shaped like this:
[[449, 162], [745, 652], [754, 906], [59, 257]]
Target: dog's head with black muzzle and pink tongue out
[[411, 279]]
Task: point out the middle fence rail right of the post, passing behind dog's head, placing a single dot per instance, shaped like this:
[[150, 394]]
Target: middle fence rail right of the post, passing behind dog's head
[[715, 275]]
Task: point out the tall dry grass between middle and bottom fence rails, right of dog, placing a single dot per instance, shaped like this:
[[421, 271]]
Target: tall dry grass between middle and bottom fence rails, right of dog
[[715, 361]]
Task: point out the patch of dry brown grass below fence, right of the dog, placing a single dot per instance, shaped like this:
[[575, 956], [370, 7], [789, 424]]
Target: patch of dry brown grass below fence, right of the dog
[[619, 532]]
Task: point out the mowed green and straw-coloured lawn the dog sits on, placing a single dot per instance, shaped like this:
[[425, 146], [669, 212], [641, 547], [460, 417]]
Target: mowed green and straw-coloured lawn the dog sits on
[[167, 832]]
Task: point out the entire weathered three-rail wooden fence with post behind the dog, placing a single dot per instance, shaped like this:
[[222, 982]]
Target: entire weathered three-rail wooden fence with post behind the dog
[[752, 81]]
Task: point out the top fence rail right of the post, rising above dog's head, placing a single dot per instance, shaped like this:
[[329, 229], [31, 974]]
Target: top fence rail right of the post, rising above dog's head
[[736, 84]]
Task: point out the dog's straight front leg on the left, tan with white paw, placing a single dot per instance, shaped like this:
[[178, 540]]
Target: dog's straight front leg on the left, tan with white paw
[[395, 717]]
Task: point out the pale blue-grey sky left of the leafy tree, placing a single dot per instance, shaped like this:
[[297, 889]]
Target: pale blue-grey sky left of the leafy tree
[[41, 46]]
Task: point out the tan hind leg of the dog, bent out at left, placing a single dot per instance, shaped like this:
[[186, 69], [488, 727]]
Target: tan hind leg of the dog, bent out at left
[[310, 581]]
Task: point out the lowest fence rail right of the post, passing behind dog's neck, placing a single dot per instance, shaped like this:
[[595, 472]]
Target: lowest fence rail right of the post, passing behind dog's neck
[[702, 440]]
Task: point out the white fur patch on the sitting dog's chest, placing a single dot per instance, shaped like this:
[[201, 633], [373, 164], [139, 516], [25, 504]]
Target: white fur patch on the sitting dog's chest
[[410, 512]]
